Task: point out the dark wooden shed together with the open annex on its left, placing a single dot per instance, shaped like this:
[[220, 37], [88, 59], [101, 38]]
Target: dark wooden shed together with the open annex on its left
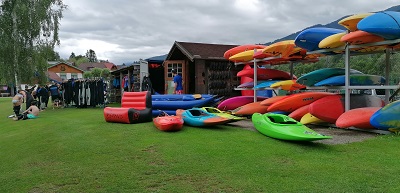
[[202, 66]]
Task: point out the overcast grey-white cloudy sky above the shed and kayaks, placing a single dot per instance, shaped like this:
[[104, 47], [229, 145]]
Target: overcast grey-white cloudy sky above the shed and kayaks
[[123, 31]]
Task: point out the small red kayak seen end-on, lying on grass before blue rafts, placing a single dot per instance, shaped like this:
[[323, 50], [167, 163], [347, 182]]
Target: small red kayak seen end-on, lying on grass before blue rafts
[[168, 123]]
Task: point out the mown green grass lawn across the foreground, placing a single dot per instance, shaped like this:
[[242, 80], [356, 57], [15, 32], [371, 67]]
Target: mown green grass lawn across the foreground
[[75, 150]]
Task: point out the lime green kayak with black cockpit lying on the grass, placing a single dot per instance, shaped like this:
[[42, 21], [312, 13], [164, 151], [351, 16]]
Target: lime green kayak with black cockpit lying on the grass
[[285, 128]]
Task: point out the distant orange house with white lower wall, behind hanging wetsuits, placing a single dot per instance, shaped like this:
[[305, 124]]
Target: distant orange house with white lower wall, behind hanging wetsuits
[[61, 71]]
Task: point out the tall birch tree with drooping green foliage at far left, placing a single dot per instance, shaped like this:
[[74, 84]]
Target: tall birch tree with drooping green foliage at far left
[[28, 34]]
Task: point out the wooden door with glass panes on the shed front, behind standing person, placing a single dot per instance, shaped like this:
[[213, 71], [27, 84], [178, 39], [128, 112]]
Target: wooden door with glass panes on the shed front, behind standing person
[[179, 66]]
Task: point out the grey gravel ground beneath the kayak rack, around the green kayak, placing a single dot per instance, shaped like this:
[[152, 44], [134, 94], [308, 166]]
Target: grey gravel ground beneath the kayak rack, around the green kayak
[[339, 136]]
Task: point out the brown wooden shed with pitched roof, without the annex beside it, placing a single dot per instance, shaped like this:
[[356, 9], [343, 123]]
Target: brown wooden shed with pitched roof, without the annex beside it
[[203, 68]]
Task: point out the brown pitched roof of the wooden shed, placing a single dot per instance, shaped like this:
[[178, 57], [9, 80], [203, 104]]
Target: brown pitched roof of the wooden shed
[[200, 50]]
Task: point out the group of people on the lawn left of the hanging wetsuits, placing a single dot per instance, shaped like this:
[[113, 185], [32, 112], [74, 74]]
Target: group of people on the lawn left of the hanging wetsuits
[[36, 100]]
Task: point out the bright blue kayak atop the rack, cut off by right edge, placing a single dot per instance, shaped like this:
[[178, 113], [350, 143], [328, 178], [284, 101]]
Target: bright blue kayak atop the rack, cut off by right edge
[[384, 24]]
